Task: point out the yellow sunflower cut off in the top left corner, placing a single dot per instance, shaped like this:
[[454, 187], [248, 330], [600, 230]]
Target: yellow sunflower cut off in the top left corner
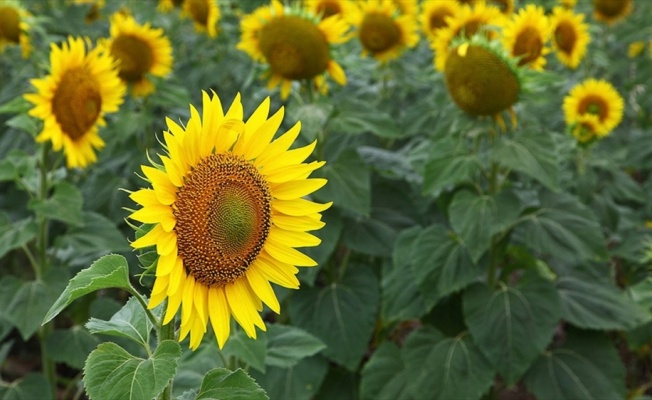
[[13, 26]]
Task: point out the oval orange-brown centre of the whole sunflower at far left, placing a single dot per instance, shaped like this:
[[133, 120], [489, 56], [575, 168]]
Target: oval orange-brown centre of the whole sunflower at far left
[[77, 102]]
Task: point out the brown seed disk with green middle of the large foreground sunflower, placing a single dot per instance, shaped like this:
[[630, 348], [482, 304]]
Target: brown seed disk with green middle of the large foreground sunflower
[[223, 214]]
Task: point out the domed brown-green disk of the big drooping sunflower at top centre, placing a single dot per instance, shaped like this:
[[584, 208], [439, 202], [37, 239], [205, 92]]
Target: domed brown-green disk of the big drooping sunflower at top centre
[[294, 48]]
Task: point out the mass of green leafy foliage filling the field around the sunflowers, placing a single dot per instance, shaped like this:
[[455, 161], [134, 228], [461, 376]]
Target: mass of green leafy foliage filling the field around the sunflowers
[[458, 260]]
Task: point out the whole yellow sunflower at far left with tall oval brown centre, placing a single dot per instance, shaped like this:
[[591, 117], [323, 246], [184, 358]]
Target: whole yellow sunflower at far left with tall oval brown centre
[[72, 101]]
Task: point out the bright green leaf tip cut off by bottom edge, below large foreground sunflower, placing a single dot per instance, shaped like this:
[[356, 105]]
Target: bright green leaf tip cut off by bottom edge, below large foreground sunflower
[[221, 383]]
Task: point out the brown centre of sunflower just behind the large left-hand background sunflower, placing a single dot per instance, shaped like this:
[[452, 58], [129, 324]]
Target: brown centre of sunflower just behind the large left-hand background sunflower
[[134, 56]]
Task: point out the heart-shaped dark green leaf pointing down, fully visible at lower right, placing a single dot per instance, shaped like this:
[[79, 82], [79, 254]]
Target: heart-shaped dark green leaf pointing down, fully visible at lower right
[[514, 324]]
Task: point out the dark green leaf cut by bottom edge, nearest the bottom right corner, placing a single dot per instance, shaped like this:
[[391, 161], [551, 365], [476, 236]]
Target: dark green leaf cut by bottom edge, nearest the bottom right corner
[[587, 367]]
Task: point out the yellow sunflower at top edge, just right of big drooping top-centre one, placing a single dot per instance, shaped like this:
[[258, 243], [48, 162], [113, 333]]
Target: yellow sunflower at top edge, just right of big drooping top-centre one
[[382, 32]]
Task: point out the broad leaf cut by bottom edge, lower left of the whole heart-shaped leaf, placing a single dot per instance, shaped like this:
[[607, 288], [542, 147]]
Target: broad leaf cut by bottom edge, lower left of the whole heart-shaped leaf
[[444, 368]]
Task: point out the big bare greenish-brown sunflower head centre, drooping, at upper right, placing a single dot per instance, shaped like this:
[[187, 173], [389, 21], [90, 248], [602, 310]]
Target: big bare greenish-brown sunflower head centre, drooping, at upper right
[[479, 81]]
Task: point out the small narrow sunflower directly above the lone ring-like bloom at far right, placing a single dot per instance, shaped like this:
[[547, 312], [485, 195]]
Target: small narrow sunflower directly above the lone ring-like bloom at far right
[[570, 36]]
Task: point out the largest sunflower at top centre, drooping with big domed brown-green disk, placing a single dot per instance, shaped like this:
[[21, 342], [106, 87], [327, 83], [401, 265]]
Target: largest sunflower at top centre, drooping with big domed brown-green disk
[[294, 44]]
